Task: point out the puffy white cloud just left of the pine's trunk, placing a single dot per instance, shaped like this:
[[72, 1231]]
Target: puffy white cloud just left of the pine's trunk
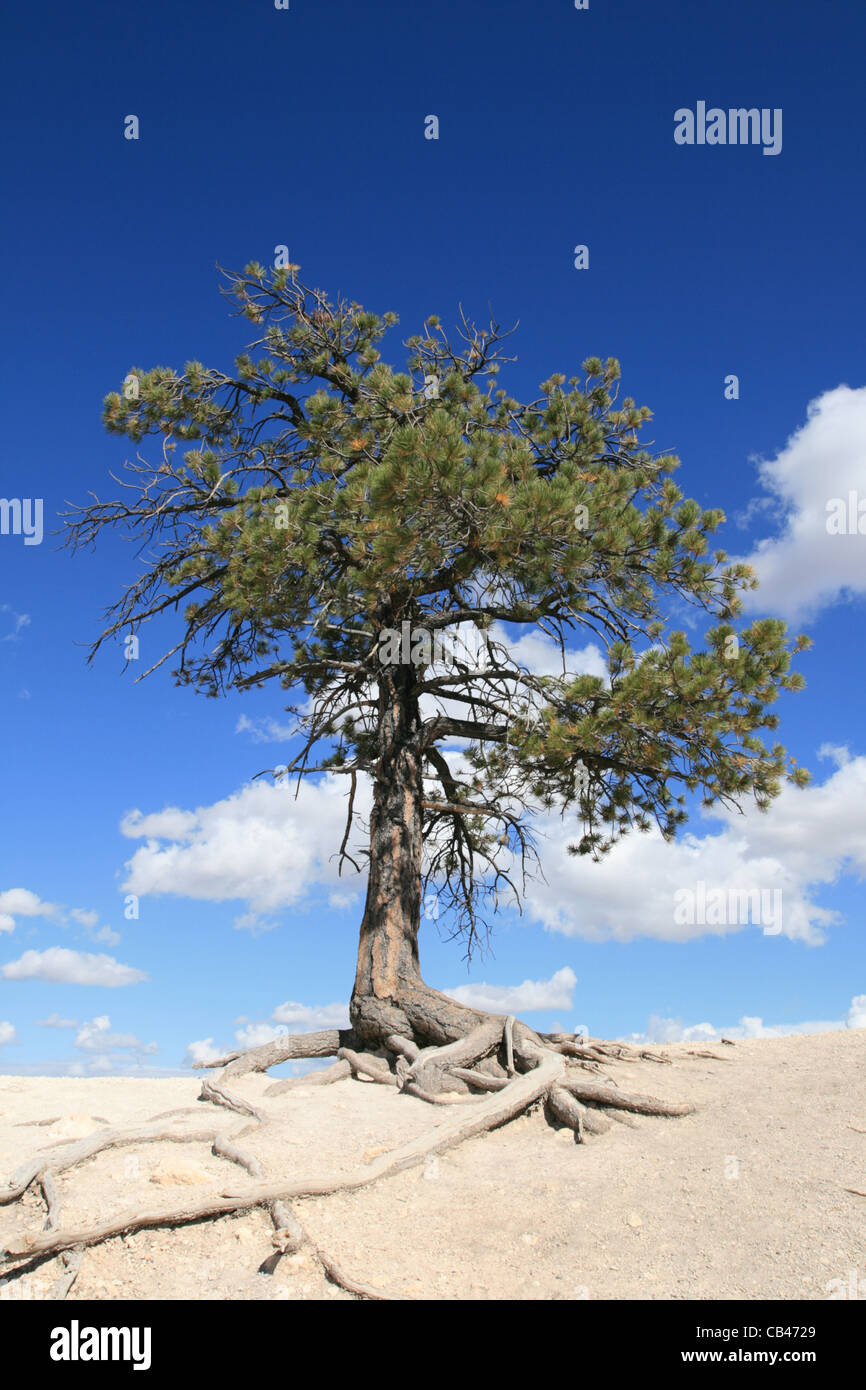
[[261, 846]]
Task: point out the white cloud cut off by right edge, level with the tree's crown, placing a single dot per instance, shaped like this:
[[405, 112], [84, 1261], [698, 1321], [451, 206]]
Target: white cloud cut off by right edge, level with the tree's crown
[[806, 568]]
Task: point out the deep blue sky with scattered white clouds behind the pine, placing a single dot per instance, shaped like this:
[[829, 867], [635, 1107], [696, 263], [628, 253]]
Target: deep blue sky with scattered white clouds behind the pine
[[307, 127]]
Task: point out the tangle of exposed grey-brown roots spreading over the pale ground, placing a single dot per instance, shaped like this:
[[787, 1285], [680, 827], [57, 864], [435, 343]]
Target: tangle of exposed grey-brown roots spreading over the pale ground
[[496, 1071]]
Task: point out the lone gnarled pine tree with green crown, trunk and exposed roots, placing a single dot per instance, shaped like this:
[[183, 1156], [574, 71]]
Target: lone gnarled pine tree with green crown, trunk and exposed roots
[[376, 541]]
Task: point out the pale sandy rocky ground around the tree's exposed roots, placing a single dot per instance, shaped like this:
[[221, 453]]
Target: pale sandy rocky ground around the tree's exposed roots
[[744, 1199]]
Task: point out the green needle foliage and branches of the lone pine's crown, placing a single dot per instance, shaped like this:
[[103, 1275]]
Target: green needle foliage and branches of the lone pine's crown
[[316, 496]]
